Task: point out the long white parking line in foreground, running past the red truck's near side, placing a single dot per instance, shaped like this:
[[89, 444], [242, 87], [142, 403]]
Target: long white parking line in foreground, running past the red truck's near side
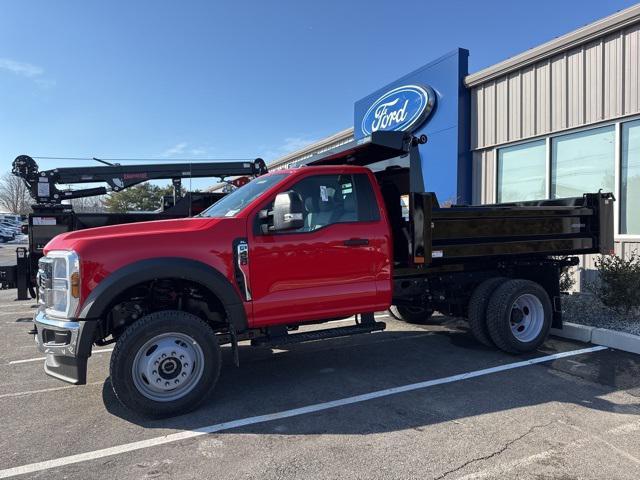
[[318, 407]]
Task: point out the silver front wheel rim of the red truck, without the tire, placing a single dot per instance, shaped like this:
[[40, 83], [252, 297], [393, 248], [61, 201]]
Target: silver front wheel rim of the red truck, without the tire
[[167, 367]]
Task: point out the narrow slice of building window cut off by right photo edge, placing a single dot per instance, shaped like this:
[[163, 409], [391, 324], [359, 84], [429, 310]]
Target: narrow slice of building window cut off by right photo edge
[[630, 179]]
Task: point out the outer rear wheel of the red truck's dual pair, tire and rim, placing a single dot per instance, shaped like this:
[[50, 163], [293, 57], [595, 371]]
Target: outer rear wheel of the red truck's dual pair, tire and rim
[[519, 316]]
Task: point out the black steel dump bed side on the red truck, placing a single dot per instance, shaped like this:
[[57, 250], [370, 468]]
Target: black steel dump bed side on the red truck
[[566, 226]]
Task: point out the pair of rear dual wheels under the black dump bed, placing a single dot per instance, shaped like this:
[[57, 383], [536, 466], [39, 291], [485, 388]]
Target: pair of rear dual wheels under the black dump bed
[[514, 315]]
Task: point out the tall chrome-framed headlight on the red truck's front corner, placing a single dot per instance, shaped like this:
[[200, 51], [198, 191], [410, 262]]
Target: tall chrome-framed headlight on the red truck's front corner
[[59, 283]]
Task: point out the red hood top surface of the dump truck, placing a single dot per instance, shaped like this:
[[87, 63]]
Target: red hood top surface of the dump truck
[[70, 240]]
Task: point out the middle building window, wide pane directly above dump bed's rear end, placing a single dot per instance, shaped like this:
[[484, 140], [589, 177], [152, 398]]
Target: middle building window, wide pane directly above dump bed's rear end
[[583, 162]]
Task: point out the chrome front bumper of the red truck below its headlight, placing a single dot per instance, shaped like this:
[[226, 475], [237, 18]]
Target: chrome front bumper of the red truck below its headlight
[[67, 345]]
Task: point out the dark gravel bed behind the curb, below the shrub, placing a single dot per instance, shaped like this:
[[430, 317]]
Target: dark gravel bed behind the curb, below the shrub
[[586, 309]]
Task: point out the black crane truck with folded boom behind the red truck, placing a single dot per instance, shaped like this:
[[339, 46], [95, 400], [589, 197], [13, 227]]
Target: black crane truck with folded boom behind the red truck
[[51, 216]]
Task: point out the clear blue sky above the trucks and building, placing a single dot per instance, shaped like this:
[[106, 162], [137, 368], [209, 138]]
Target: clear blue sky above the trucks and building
[[218, 79]]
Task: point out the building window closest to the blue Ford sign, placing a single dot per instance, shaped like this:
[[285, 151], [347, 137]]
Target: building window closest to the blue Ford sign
[[522, 172]]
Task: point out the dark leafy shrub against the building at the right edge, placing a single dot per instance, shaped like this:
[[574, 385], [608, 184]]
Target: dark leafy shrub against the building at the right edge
[[619, 282]]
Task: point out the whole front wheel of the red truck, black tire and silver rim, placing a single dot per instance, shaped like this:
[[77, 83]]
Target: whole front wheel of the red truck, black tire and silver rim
[[165, 339]]
